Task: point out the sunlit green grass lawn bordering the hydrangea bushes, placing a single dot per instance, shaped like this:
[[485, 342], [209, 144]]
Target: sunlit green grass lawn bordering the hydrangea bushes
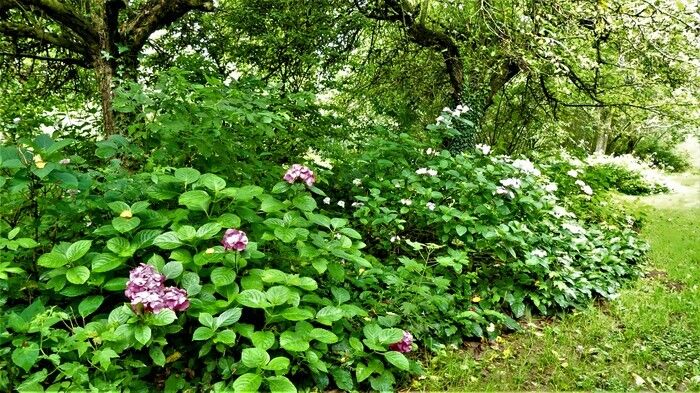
[[647, 339]]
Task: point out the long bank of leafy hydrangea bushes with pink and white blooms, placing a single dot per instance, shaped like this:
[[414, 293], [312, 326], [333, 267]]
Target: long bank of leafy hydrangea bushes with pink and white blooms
[[326, 289]]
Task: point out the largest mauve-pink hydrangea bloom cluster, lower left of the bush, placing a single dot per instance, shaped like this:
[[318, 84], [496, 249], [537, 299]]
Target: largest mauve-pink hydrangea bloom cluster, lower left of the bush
[[145, 287]]
